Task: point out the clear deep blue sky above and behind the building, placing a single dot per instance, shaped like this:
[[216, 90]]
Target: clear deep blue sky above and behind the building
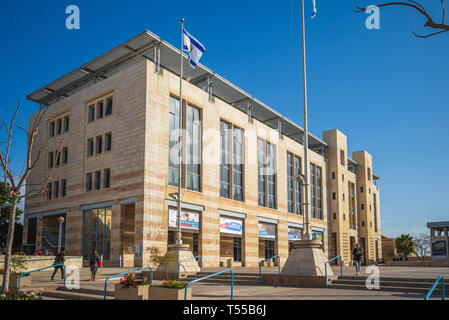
[[385, 89]]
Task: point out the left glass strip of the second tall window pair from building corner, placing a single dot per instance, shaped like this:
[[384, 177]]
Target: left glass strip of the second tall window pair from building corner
[[225, 162]]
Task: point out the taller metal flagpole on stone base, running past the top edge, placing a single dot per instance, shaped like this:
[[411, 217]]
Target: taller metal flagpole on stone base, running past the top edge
[[306, 217]]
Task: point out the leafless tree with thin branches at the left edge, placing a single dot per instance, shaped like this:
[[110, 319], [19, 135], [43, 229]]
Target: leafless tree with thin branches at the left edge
[[14, 182]]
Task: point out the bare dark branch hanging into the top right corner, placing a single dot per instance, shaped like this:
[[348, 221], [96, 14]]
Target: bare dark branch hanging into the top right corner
[[430, 22]]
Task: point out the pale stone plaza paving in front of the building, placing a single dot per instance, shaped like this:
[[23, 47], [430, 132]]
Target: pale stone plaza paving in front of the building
[[204, 291]]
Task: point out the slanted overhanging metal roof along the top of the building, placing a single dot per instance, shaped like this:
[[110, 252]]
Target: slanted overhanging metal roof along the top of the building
[[145, 45]]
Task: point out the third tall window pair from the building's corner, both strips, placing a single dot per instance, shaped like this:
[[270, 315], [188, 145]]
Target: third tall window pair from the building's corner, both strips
[[267, 173]]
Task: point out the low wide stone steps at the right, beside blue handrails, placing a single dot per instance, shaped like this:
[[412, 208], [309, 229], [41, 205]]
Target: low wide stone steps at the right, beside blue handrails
[[406, 285]]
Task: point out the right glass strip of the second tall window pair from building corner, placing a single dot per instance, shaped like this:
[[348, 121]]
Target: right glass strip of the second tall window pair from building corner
[[237, 167]]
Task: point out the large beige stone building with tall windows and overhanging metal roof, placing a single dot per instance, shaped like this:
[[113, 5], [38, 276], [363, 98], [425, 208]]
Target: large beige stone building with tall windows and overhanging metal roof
[[114, 179]]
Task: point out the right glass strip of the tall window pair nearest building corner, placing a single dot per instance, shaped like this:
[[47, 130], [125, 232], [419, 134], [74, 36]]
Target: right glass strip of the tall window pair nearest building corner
[[193, 140]]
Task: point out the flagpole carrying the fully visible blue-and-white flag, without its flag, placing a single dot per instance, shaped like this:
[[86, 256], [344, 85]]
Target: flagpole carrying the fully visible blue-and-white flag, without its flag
[[180, 141]]
